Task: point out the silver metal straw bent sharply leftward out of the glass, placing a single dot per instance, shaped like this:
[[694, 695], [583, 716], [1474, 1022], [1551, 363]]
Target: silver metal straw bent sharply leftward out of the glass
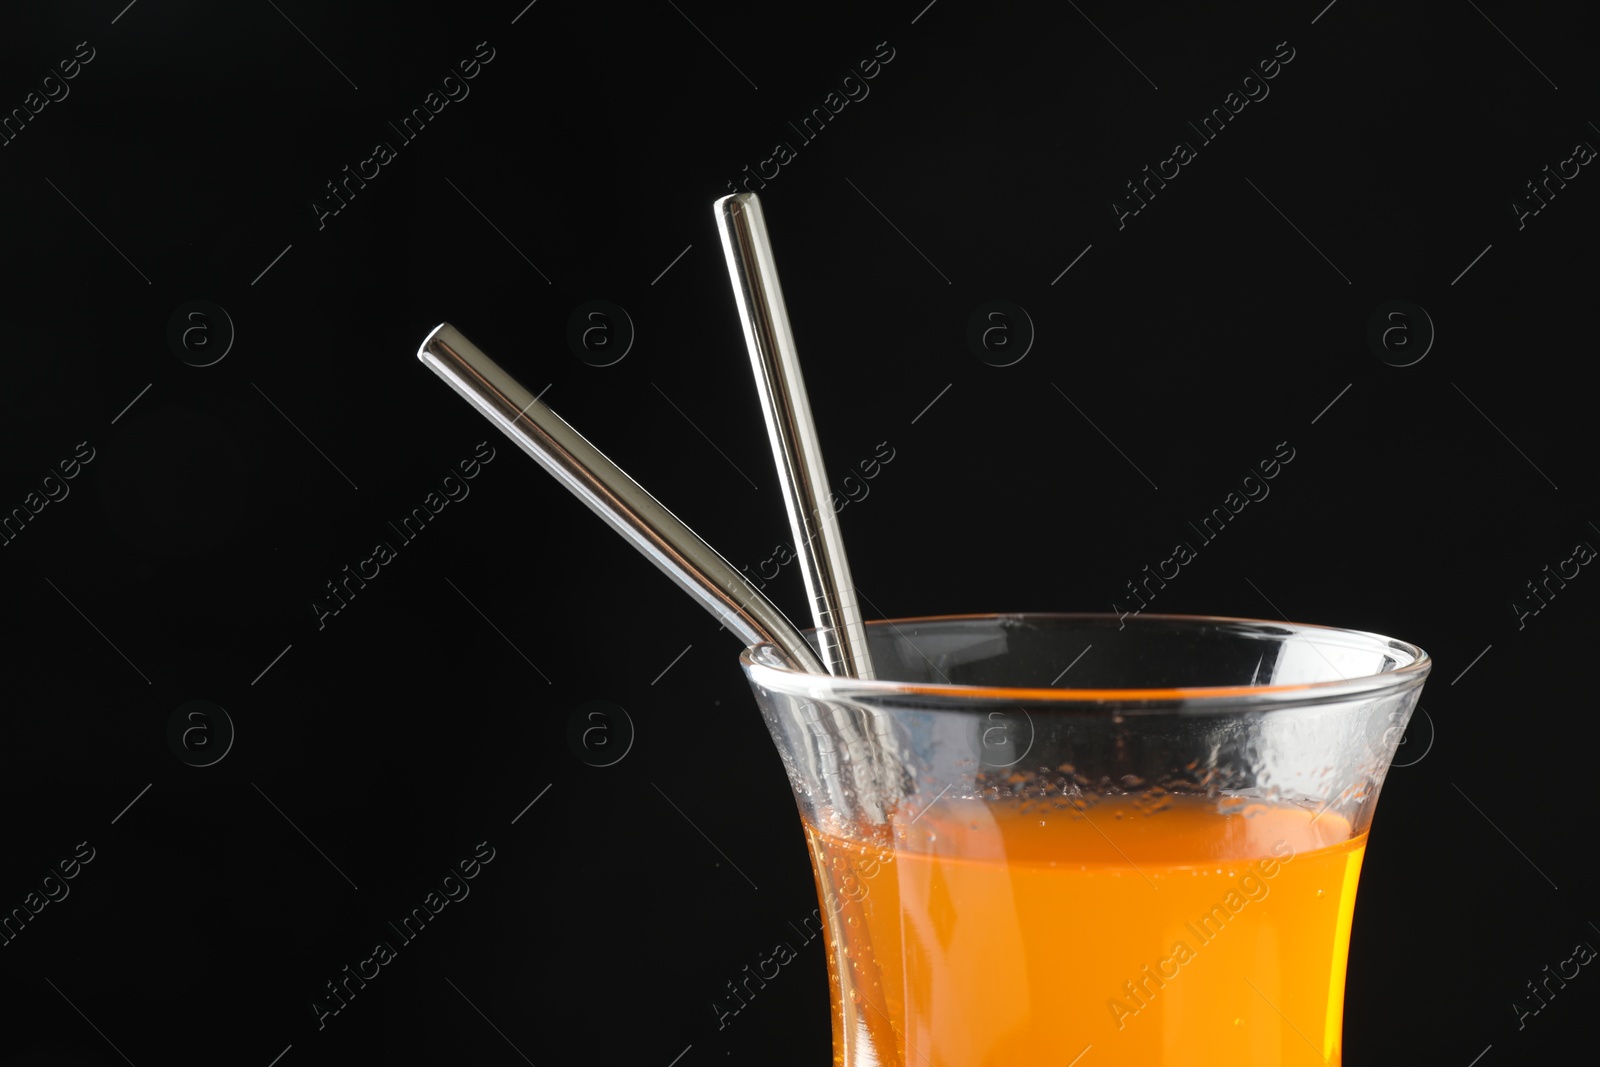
[[681, 554]]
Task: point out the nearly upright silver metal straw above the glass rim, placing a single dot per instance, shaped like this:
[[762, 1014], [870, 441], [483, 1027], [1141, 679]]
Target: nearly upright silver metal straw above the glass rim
[[793, 434]]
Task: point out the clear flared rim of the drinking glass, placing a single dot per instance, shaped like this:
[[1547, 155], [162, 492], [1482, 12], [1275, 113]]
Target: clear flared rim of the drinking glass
[[807, 685]]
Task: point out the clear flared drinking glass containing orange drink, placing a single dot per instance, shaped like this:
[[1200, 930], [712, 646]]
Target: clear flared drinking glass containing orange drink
[[1156, 865]]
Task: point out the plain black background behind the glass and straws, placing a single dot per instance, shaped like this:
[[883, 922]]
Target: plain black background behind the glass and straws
[[380, 748]]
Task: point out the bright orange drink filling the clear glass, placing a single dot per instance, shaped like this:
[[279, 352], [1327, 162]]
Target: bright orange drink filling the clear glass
[[1026, 933]]
